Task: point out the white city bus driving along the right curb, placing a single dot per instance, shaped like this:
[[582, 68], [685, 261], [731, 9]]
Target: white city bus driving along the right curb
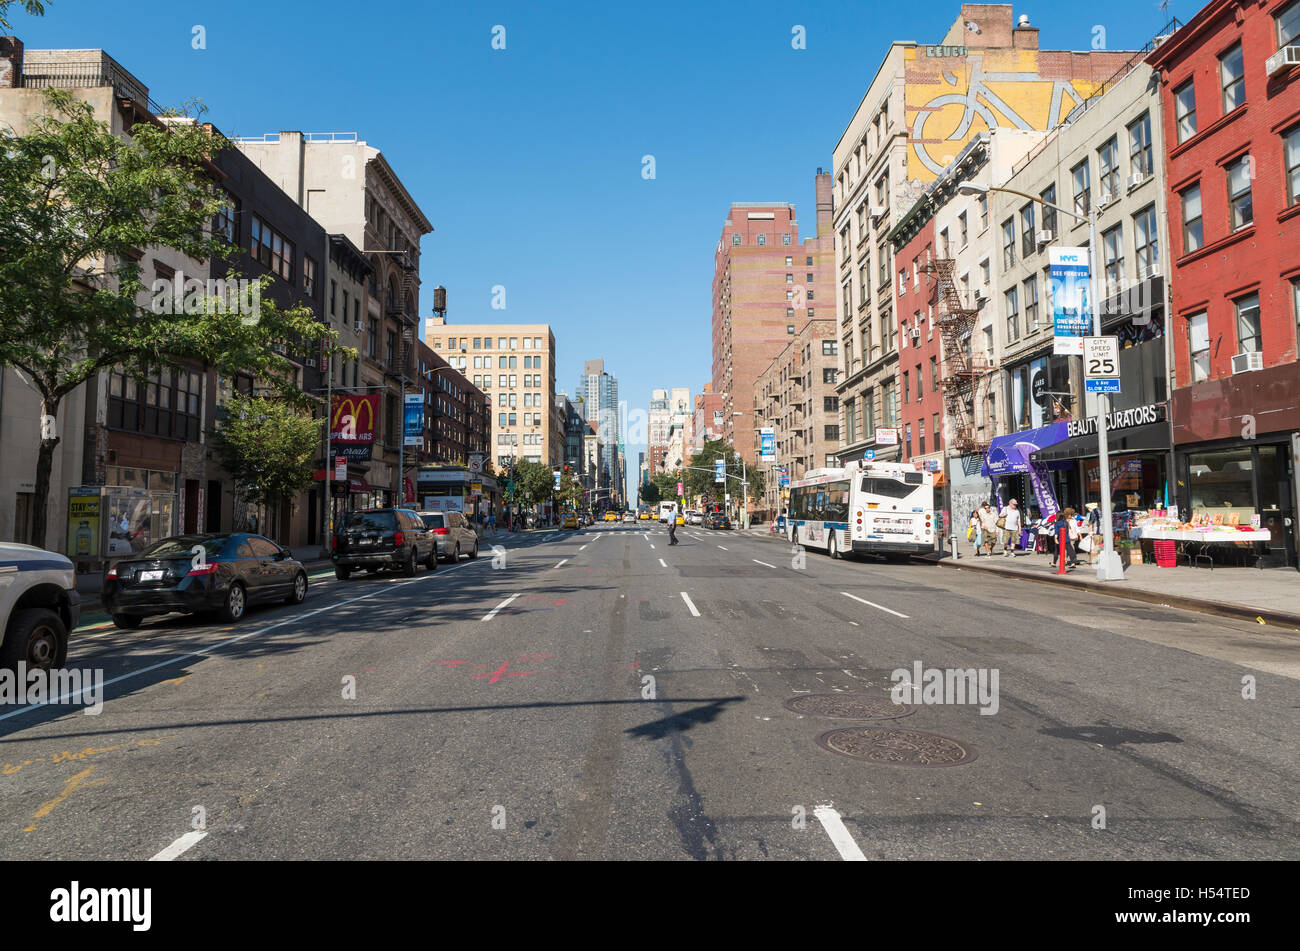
[[881, 509]]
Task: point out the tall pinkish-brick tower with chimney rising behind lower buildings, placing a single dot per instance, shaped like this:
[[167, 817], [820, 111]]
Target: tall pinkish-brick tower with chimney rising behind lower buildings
[[766, 285]]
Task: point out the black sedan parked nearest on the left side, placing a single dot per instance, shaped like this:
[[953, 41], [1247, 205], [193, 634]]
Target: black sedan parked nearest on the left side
[[196, 574]]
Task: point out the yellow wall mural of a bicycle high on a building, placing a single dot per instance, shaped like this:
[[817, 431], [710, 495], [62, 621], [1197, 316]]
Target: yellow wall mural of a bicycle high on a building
[[954, 94]]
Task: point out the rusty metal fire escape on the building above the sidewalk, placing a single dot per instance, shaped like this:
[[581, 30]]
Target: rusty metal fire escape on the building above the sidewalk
[[967, 377]]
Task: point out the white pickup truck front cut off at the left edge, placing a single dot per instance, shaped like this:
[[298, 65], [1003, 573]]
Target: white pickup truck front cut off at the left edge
[[40, 606]]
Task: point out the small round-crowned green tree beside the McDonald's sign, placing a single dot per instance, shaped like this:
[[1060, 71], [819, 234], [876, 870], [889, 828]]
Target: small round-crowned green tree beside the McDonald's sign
[[268, 448]]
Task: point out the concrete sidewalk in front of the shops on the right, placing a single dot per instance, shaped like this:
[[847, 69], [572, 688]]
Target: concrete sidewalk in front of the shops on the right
[[1272, 594]]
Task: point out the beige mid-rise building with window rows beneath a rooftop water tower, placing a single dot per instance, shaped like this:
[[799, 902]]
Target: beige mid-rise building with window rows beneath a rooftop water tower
[[514, 364]]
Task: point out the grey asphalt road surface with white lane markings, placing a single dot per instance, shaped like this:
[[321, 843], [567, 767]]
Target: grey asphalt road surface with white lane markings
[[599, 694]]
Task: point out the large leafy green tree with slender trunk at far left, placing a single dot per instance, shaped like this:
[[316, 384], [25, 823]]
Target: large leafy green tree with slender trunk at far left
[[77, 207]]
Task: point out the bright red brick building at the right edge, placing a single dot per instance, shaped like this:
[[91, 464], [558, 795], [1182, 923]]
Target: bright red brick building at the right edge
[[1232, 114]]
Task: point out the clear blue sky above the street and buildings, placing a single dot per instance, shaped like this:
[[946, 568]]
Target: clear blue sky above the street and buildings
[[528, 160]]
